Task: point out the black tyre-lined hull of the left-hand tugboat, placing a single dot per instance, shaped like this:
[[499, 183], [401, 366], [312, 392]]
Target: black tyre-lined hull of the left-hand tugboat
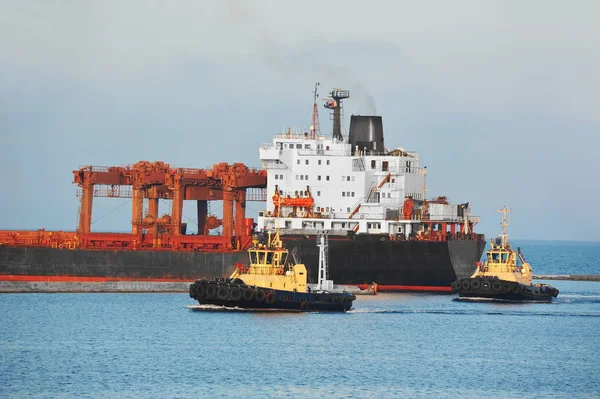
[[234, 294]]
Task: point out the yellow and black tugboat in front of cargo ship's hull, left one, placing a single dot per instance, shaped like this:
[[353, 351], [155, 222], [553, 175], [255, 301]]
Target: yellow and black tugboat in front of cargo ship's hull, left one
[[269, 282]]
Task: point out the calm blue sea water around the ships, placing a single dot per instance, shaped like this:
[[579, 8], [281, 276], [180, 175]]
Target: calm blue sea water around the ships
[[388, 346]]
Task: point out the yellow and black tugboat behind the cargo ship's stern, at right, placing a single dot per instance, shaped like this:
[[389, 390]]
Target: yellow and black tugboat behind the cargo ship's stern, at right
[[501, 278]]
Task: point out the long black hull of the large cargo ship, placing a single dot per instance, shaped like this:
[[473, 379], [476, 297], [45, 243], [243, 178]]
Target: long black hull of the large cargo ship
[[394, 265]]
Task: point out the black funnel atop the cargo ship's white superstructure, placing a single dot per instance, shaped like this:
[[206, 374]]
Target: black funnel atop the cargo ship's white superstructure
[[366, 132]]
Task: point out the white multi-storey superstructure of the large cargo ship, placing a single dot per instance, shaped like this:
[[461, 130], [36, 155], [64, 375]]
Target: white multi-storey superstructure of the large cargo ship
[[317, 182]]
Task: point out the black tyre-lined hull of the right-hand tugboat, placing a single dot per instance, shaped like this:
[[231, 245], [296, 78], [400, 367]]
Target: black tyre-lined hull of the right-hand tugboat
[[496, 289]]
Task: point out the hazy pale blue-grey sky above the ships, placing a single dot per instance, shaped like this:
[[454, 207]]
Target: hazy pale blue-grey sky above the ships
[[500, 98]]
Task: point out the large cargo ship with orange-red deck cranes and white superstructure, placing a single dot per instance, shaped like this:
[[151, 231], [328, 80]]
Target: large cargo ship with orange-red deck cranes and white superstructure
[[370, 200]]
